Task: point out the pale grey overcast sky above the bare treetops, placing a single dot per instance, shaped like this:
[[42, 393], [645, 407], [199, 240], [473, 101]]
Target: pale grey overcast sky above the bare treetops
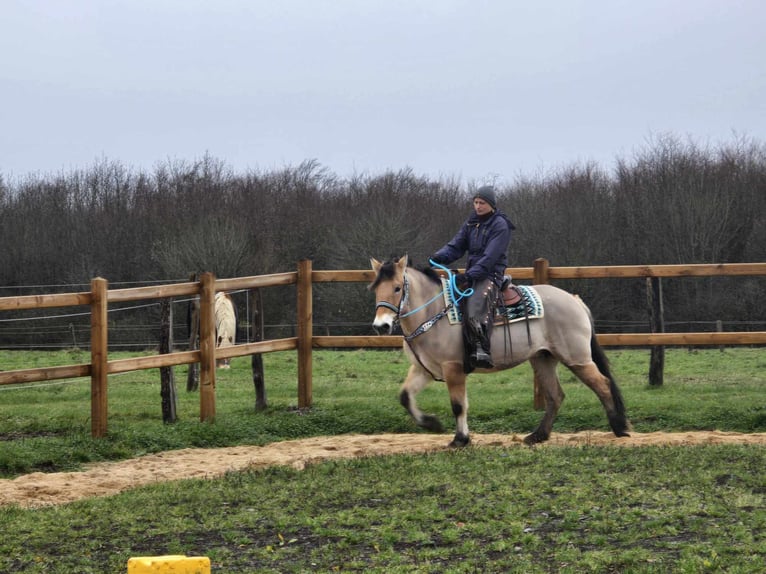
[[479, 90]]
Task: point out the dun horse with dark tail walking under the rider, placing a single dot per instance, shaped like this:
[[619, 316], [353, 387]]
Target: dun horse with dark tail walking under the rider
[[563, 334]]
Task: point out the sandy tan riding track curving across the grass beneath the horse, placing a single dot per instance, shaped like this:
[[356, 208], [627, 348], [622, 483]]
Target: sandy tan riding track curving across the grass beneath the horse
[[42, 489]]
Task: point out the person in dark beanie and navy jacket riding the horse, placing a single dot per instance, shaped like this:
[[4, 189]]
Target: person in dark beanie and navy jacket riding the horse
[[485, 235]]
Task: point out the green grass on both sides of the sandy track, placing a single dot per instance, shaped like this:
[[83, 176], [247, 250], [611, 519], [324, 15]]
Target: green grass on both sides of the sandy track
[[489, 509]]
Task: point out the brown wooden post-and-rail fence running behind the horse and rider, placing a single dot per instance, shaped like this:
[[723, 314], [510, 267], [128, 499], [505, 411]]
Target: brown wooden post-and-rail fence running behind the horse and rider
[[99, 297]]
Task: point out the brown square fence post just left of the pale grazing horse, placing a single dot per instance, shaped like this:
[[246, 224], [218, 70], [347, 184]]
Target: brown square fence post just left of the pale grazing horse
[[207, 347]]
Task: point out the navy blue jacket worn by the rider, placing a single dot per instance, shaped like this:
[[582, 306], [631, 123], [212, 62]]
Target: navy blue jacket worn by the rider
[[486, 240]]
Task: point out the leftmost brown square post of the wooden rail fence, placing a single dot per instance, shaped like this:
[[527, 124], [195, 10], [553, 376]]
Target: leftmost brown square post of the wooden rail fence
[[99, 357]]
